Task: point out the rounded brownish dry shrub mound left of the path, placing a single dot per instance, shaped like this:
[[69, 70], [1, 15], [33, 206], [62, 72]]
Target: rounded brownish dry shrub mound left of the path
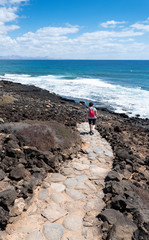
[[42, 135]]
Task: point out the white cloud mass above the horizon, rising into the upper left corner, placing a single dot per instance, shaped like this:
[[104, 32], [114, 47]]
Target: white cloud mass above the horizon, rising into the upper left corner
[[68, 42]]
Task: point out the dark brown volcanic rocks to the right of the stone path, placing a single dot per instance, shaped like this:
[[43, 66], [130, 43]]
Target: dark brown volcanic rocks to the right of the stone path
[[127, 186]]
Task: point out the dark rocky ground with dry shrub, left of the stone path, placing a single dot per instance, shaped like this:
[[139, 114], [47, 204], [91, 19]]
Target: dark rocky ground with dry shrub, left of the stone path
[[36, 136]]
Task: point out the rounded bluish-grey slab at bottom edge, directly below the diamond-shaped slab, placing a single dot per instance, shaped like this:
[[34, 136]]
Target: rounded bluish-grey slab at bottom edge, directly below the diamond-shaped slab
[[53, 231]]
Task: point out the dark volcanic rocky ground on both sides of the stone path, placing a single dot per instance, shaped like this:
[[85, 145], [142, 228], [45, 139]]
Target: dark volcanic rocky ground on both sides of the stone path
[[23, 167]]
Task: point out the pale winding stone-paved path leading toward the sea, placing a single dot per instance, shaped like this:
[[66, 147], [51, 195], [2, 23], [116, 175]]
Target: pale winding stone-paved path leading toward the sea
[[66, 205]]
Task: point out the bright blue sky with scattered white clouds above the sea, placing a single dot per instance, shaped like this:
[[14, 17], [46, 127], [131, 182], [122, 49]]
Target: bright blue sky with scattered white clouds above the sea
[[74, 29]]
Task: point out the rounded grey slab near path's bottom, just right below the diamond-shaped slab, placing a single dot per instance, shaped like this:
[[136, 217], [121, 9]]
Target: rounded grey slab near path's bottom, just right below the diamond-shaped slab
[[73, 223]]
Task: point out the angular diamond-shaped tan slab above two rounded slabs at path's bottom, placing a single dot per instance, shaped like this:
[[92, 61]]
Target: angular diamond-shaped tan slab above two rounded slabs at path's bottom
[[53, 212]]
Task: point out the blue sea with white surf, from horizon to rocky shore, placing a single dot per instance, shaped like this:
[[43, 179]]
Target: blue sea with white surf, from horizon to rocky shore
[[121, 86]]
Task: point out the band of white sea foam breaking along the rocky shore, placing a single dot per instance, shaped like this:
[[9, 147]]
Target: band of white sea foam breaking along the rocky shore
[[131, 101]]
